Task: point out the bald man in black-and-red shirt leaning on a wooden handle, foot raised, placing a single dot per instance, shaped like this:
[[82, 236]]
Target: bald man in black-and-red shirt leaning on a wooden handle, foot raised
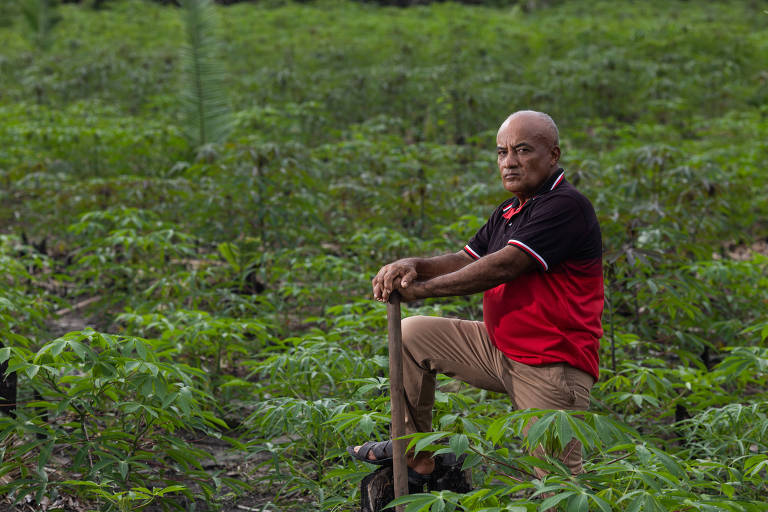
[[538, 260]]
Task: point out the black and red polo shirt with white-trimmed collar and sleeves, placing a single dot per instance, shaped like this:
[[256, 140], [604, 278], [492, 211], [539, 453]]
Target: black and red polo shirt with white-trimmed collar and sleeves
[[553, 313]]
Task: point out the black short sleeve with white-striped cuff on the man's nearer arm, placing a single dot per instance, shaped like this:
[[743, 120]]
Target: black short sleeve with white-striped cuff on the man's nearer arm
[[557, 230]]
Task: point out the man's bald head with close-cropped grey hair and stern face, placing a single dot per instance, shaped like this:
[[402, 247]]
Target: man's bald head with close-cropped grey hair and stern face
[[527, 155]]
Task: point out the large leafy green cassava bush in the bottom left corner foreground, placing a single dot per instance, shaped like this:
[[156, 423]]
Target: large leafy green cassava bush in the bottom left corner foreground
[[79, 378]]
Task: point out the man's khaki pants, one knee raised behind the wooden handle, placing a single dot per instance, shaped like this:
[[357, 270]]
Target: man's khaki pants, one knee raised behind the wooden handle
[[462, 349]]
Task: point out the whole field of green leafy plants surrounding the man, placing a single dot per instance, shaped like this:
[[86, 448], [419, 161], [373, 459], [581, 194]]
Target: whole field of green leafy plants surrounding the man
[[231, 350]]
